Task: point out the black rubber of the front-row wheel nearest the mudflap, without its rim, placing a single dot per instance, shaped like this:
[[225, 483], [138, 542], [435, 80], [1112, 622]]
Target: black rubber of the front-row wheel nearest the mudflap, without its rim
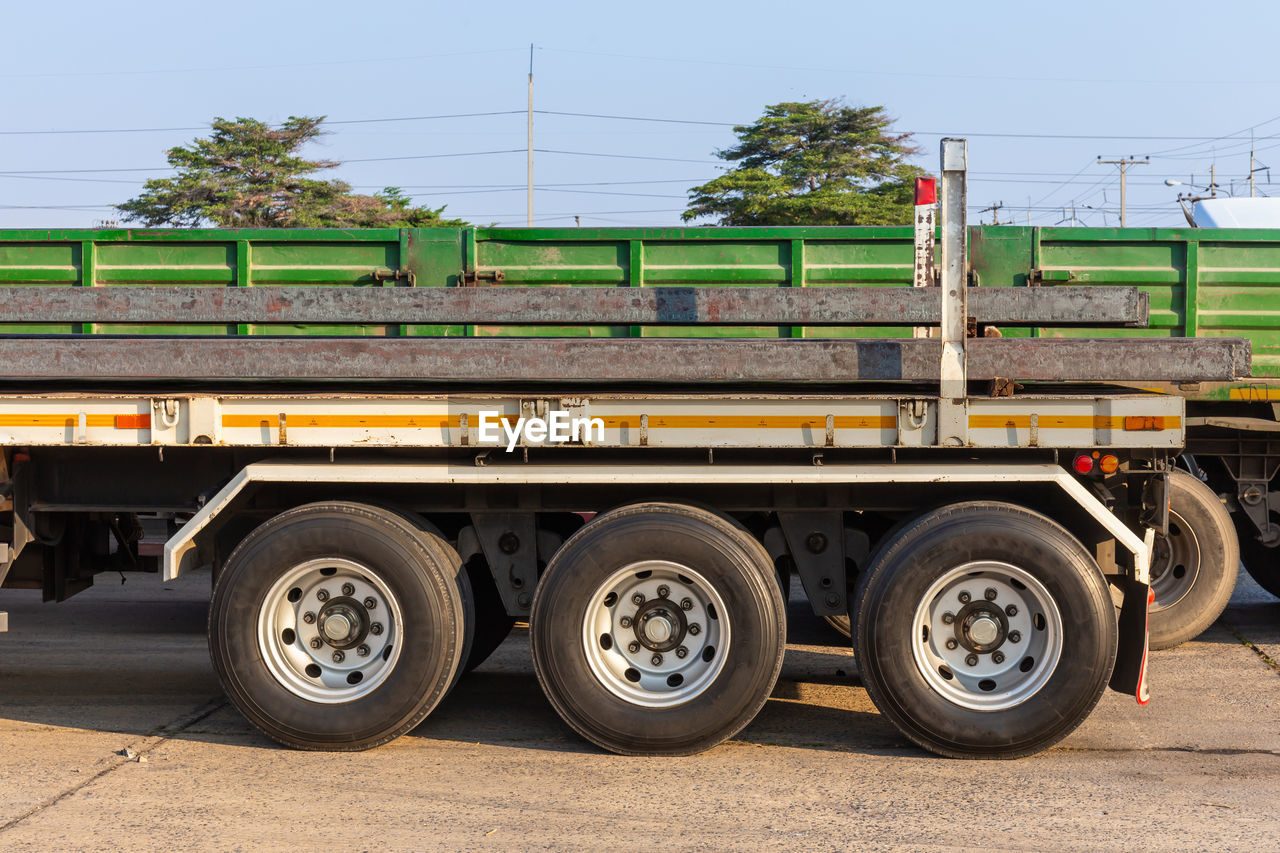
[[898, 578]]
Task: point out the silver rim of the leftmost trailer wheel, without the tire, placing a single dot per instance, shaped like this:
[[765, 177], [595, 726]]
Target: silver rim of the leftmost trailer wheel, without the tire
[[330, 631]]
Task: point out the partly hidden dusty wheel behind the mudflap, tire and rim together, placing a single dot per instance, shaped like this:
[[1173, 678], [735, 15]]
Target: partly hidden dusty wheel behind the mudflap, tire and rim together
[[1192, 569]]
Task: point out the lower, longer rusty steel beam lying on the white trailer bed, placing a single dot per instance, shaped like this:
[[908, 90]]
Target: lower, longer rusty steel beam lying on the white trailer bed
[[614, 361]]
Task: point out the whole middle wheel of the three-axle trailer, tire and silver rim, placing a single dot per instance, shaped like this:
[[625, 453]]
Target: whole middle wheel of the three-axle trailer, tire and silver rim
[[659, 630]]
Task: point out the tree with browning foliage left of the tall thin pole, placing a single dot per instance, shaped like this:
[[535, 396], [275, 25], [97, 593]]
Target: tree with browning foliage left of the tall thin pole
[[249, 175]]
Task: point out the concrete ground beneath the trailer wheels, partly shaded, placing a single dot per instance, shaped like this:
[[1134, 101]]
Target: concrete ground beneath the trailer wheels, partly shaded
[[126, 669]]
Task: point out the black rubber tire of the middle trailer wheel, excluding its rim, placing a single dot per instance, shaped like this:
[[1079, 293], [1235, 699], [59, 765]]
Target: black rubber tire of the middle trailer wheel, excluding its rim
[[725, 555]]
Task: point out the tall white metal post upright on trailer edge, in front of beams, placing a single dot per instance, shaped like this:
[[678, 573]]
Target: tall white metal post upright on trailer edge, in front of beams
[[953, 410]]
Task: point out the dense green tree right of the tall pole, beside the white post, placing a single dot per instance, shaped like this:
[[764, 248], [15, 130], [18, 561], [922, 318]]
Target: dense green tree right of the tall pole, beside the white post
[[813, 163]]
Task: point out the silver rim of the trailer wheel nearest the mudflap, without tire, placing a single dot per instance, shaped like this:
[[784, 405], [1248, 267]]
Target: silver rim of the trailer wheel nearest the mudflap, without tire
[[988, 635]]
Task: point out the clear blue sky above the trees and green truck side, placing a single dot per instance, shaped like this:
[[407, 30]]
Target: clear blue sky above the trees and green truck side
[[1064, 75]]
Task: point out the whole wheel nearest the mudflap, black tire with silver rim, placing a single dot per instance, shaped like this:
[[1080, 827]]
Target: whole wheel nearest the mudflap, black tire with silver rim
[[985, 631]]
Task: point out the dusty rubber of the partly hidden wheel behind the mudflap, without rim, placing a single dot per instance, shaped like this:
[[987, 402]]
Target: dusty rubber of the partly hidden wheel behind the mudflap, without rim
[[1220, 559]]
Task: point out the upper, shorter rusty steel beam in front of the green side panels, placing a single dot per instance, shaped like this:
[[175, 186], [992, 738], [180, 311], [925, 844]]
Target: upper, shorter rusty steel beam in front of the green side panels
[[561, 305]]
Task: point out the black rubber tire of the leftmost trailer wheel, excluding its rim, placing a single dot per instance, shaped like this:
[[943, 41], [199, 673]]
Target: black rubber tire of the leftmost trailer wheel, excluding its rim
[[406, 562]]
